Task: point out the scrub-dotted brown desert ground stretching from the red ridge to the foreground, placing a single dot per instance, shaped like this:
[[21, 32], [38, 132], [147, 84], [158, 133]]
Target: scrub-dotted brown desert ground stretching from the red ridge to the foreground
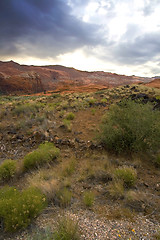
[[86, 174]]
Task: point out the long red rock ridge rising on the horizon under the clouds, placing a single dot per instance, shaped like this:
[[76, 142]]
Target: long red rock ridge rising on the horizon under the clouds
[[16, 78]]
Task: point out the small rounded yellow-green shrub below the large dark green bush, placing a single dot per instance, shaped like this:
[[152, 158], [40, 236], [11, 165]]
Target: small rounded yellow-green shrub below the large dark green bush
[[126, 174]]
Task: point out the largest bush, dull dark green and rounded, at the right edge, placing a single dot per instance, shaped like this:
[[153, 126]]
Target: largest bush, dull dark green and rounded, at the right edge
[[131, 127]]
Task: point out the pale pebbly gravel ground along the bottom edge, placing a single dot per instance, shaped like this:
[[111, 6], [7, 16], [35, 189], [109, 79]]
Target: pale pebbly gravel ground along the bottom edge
[[94, 228]]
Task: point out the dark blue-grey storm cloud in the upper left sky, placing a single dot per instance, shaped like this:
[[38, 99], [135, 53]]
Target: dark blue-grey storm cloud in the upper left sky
[[42, 28]]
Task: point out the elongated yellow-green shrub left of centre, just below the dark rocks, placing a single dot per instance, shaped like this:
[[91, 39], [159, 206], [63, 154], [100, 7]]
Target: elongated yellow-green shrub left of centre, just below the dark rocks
[[45, 153]]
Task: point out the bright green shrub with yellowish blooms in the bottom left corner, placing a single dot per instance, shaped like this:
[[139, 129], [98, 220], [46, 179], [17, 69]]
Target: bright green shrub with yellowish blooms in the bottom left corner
[[18, 208]]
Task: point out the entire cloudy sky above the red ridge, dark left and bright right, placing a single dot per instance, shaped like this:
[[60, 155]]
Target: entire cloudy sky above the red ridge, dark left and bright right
[[119, 36]]
